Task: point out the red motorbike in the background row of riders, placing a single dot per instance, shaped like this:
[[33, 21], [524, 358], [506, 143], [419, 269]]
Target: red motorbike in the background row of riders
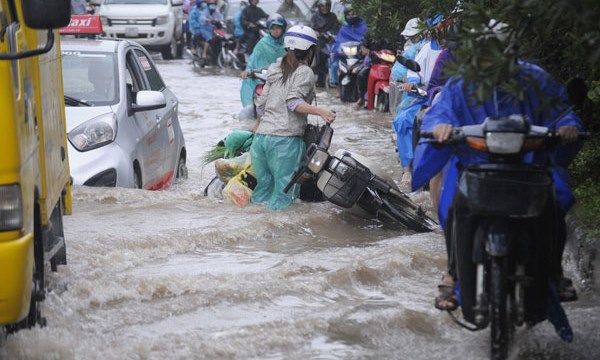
[[378, 88]]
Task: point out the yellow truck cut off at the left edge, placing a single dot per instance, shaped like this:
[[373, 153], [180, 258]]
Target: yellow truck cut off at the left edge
[[35, 189]]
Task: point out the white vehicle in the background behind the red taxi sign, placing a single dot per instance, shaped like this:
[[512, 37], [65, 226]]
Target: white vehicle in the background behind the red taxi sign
[[154, 24]]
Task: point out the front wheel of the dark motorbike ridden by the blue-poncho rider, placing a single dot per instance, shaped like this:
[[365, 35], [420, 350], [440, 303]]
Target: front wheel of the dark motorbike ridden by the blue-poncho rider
[[500, 322]]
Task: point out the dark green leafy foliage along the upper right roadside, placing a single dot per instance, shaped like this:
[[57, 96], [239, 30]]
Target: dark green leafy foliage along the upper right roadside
[[562, 36]]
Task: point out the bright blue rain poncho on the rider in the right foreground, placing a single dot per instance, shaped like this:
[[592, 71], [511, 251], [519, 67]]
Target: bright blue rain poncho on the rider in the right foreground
[[454, 107]]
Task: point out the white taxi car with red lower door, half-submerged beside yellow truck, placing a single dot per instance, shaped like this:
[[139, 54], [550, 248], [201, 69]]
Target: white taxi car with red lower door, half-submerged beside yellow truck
[[122, 120]]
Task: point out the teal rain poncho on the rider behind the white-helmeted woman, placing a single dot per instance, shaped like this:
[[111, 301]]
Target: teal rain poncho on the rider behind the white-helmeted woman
[[266, 52]]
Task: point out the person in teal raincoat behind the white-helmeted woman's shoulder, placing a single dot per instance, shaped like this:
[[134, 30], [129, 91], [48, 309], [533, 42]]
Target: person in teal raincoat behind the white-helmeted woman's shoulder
[[266, 52]]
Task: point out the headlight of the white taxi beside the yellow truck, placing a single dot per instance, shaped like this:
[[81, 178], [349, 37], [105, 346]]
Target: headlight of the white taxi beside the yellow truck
[[94, 133]]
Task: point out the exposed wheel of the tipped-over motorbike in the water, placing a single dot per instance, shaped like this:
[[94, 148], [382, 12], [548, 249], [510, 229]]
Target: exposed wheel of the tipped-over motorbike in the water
[[399, 207]]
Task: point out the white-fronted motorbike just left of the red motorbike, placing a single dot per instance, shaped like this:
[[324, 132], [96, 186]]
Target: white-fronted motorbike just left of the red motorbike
[[350, 58]]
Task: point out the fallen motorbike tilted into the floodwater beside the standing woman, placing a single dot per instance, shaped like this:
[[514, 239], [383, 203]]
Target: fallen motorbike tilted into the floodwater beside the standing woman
[[353, 182]]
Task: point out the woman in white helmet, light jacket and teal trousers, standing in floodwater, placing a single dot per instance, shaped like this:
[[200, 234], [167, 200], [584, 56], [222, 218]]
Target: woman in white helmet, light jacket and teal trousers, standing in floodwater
[[278, 145]]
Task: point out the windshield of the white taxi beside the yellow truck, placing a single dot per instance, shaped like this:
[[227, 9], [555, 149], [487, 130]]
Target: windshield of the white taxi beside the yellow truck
[[90, 77]]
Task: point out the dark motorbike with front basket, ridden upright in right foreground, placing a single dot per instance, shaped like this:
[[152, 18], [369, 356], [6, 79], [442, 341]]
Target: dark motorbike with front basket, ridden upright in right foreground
[[502, 232]]
